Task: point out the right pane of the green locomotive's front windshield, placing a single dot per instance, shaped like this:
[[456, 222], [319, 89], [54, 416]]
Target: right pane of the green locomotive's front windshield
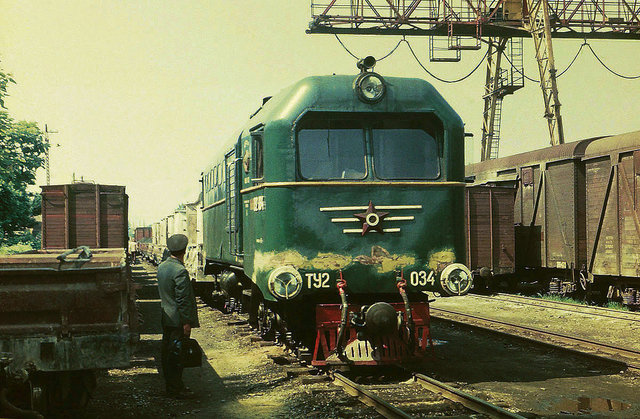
[[401, 153]]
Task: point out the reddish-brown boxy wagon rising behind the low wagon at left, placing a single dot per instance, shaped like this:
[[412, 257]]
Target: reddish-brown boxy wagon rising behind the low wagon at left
[[83, 214]]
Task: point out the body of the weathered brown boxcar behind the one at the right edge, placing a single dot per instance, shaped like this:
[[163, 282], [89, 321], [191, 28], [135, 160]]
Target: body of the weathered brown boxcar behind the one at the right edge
[[550, 210]]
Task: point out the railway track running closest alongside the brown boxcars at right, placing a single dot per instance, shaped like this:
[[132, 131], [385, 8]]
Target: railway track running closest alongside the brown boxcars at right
[[559, 305]]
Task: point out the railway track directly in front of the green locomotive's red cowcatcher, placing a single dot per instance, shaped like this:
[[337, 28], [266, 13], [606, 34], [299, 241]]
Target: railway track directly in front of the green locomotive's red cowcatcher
[[409, 400]]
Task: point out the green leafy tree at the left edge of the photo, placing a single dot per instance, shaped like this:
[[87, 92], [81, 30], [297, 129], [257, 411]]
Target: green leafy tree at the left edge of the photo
[[22, 152]]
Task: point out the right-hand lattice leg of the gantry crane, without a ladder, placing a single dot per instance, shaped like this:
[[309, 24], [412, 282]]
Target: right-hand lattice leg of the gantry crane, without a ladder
[[538, 24]]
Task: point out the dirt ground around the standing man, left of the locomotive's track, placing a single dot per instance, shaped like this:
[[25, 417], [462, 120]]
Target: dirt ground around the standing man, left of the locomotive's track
[[239, 380]]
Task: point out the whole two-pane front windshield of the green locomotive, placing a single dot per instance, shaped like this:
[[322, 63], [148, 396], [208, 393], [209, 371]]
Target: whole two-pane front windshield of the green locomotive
[[396, 148]]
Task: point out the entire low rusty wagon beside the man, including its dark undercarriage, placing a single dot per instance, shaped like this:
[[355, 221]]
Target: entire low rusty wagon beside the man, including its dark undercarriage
[[62, 317]]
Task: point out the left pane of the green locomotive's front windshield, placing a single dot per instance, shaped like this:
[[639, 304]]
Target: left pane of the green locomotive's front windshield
[[332, 153]]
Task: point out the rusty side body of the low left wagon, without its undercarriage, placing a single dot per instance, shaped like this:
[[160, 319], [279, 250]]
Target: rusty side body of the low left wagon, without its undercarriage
[[66, 316]]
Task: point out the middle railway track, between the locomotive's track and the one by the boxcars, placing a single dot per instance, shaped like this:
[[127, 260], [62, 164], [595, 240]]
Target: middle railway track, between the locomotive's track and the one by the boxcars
[[628, 357]]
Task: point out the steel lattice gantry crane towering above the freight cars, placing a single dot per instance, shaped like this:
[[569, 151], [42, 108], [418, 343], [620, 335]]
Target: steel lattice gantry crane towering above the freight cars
[[501, 24]]
